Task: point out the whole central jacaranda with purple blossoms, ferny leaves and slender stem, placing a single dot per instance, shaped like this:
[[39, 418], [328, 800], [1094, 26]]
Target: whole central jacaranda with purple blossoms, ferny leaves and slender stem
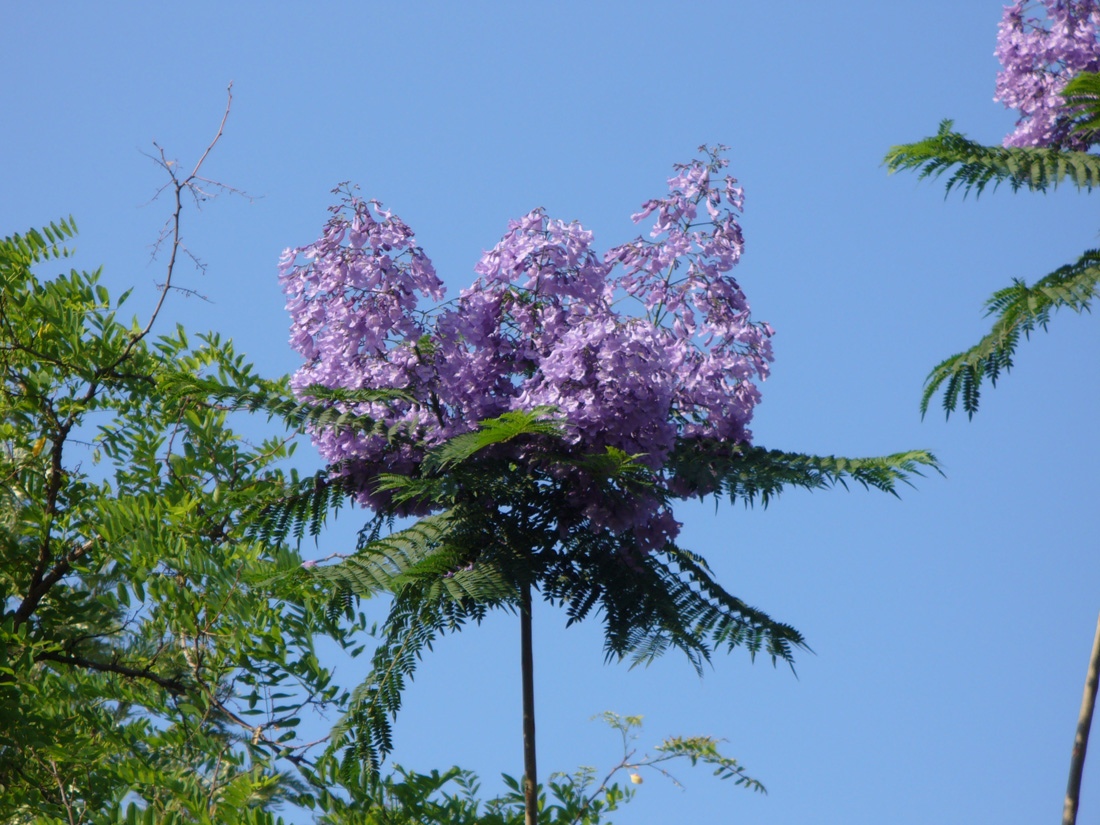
[[542, 426]]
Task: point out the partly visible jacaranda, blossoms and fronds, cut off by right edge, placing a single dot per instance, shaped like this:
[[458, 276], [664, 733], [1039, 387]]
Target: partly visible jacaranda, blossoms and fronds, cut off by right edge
[[1044, 61]]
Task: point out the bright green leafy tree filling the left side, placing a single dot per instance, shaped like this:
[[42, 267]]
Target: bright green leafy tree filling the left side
[[156, 657]]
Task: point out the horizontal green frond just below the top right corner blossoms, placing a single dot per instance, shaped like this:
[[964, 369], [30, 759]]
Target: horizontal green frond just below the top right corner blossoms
[[975, 167]]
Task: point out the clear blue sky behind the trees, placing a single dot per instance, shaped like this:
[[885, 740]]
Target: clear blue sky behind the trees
[[951, 629]]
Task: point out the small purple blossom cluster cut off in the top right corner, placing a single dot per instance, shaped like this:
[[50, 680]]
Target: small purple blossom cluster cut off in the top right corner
[[1040, 58]]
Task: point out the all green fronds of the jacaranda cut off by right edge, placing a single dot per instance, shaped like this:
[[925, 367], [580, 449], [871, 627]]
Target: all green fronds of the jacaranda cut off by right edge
[[1018, 310]]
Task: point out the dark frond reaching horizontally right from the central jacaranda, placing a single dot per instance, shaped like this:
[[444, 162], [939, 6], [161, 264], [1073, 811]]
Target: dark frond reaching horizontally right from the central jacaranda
[[757, 475]]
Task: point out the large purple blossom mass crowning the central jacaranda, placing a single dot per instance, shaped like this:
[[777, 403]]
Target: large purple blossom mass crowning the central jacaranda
[[648, 344]]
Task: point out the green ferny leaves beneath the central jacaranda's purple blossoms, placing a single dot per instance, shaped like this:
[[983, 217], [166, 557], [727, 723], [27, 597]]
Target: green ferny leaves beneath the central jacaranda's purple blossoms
[[500, 531]]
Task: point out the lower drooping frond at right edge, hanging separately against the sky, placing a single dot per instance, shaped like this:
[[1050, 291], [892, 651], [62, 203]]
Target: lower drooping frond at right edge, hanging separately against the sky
[[1019, 310]]
